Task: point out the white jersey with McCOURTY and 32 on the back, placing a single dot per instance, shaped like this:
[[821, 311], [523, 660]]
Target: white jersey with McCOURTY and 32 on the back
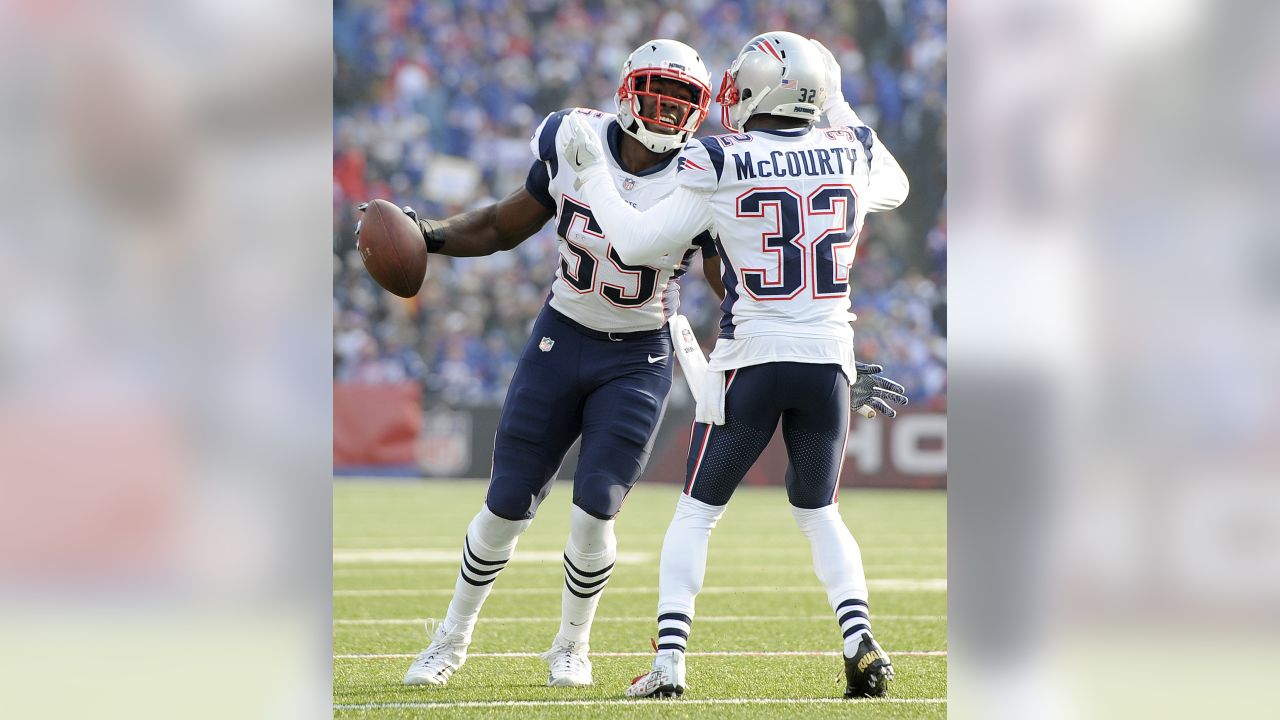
[[787, 208]]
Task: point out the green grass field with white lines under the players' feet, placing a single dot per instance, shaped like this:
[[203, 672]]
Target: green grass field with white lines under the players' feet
[[764, 619]]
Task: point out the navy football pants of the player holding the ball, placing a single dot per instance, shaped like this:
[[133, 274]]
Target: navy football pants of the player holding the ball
[[573, 381]]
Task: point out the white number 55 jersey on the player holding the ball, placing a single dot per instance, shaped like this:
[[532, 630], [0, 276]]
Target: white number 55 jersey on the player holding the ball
[[593, 286]]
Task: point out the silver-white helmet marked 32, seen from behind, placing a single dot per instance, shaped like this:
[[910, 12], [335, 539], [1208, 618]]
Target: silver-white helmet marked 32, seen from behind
[[778, 74]]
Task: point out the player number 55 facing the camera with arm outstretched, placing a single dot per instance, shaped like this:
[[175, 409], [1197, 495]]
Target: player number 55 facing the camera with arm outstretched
[[598, 363]]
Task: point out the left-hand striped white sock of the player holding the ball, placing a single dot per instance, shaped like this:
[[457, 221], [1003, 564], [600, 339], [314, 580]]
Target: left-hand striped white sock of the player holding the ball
[[490, 544]]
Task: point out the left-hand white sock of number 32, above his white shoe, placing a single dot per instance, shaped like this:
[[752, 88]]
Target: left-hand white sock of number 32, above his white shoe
[[684, 567]]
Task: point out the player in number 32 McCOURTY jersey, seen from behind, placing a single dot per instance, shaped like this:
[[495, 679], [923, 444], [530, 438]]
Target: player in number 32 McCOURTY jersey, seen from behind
[[785, 203]]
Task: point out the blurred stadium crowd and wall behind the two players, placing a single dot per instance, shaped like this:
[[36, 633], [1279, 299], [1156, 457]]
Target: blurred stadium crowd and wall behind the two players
[[433, 107]]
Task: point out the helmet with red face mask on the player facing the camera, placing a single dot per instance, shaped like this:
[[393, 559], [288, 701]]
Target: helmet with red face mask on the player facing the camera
[[664, 60]]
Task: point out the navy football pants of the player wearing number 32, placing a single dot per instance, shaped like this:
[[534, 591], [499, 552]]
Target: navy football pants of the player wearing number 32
[[812, 402]]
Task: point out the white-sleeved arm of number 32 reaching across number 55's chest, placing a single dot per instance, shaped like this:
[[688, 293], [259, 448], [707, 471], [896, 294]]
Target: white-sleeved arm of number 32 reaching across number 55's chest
[[641, 239]]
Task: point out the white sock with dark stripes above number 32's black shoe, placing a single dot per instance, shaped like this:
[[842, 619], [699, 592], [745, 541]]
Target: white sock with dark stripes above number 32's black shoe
[[839, 563]]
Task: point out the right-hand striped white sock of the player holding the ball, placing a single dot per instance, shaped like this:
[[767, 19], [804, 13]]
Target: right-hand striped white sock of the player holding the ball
[[589, 557]]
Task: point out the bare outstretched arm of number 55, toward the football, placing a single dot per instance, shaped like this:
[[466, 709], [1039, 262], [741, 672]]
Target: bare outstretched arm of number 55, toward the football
[[488, 230]]
